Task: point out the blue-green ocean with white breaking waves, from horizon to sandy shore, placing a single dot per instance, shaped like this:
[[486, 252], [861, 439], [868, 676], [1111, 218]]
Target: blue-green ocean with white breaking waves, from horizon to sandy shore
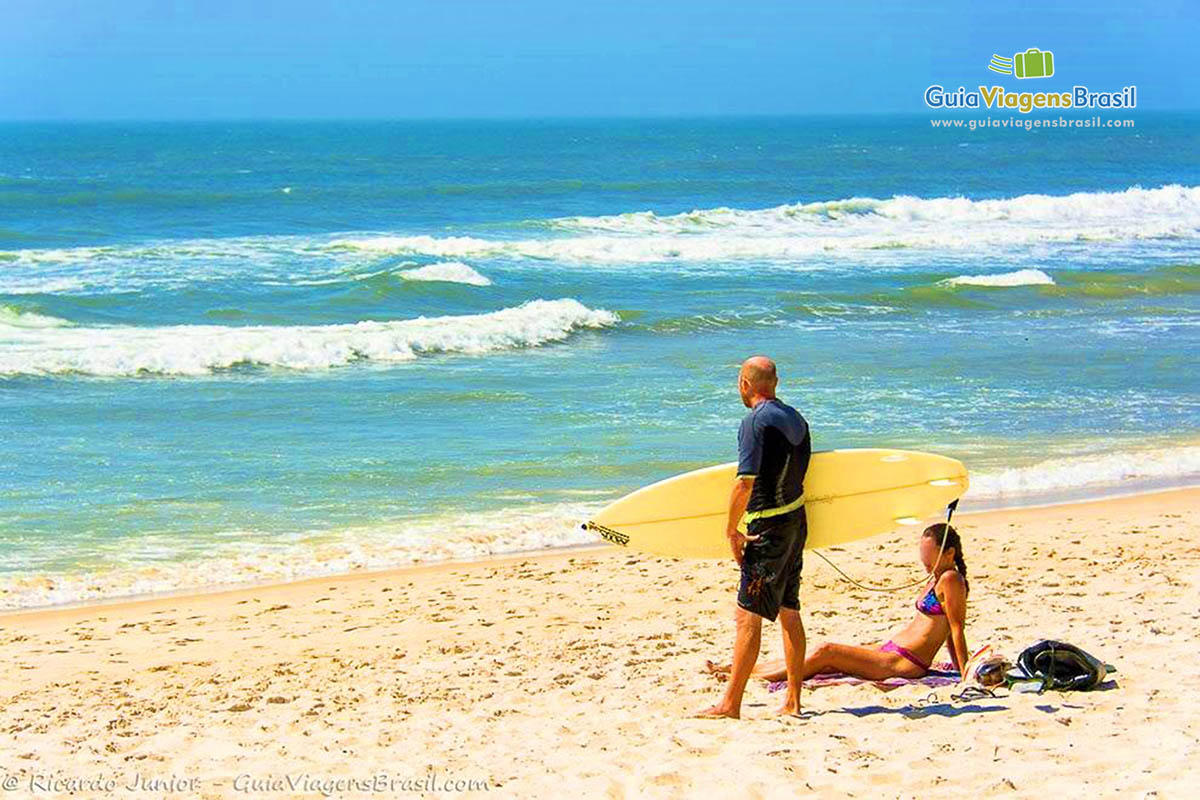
[[253, 352]]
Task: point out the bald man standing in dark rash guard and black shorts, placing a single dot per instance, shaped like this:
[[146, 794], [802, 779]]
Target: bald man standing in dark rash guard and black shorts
[[767, 530]]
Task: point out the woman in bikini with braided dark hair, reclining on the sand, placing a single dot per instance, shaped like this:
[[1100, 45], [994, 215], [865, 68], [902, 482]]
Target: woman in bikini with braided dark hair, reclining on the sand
[[941, 616]]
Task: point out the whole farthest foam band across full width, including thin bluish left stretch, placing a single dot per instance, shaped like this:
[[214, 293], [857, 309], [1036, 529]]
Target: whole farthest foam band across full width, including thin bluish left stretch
[[794, 232]]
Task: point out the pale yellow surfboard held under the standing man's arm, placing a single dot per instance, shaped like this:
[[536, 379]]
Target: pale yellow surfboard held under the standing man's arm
[[848, 495]]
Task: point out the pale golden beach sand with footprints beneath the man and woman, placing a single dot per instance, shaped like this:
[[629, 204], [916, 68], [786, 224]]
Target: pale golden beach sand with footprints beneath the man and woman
[[573, 675]]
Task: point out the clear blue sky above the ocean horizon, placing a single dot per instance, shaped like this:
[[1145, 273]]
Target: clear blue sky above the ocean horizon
[[218, 59]]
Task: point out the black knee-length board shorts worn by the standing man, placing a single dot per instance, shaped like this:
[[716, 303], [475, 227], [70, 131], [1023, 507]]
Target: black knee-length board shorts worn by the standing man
[[771, 564]]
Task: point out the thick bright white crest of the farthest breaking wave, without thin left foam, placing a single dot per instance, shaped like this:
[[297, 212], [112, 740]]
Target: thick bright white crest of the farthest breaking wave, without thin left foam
[[805, 231]]
